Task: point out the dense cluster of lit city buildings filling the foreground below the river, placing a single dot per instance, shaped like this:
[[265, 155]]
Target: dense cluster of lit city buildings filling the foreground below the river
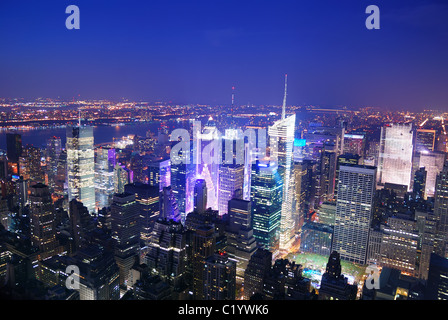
[[138, 224]]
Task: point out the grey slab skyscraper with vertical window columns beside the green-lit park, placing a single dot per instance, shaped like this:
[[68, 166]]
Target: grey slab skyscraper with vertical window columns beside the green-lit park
[[356, 187]]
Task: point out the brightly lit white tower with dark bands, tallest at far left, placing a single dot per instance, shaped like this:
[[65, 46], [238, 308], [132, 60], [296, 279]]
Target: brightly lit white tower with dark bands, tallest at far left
[[81, 166]]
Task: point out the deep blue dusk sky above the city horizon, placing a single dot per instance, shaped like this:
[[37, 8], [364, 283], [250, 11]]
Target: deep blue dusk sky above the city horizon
[[194, 51]]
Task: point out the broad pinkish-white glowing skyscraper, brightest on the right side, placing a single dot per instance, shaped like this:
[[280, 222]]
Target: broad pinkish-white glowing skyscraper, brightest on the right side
[[395, 156]]
